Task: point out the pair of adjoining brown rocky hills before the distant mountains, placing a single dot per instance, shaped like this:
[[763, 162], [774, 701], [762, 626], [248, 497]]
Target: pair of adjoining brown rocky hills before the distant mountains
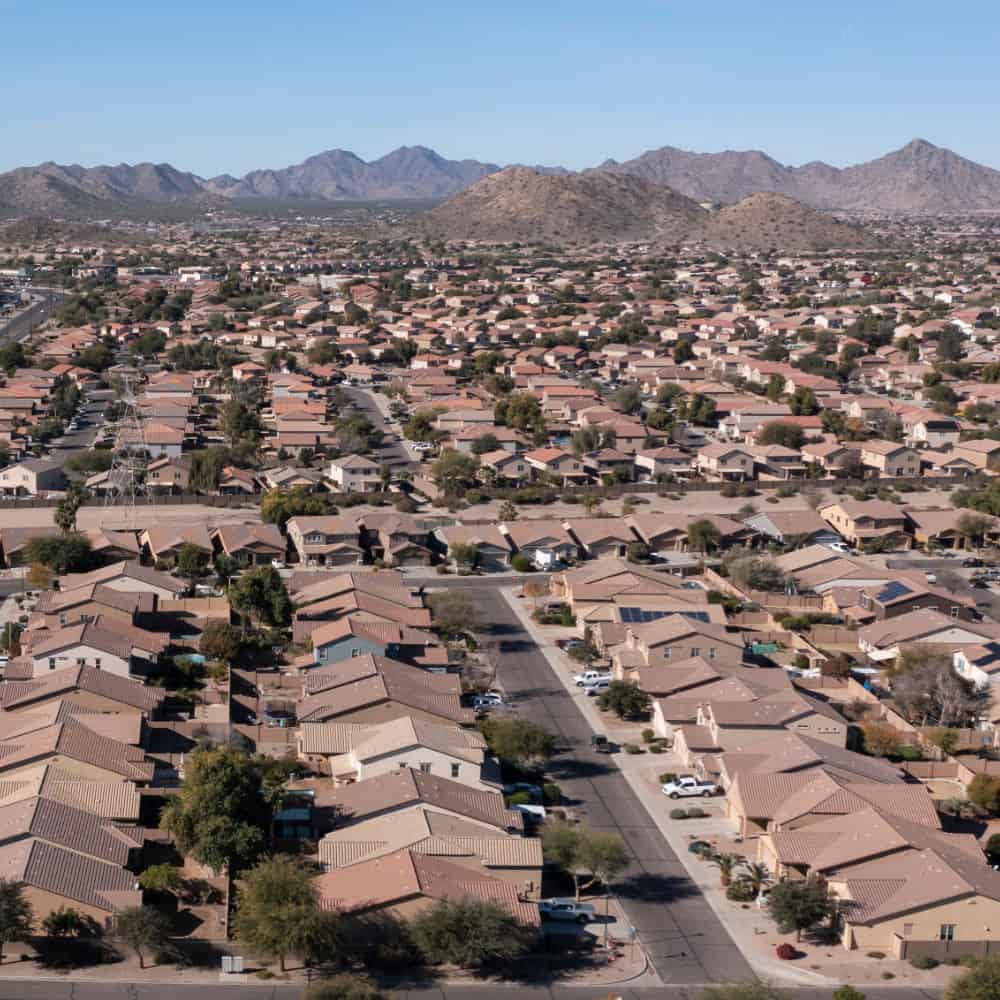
[[598, 206]]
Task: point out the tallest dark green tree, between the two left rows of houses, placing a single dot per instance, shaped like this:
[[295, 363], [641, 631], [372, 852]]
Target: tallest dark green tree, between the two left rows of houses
[[221, 811]]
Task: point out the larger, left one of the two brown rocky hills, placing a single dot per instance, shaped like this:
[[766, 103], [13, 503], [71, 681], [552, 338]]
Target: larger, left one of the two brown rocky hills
[[521, 204]]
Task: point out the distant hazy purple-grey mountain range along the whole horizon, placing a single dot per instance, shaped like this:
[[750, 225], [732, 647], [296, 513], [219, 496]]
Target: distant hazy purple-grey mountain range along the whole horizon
[[920, 178]]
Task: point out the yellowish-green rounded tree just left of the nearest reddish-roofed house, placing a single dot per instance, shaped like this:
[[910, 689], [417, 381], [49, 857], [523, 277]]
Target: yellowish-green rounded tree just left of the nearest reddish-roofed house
[[277, 911]]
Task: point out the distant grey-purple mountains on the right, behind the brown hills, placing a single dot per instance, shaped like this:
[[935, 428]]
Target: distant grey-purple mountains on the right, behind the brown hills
[[920, 177]]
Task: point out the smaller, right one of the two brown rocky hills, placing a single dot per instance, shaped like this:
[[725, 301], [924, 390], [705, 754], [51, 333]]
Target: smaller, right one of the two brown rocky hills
[[774, 220]]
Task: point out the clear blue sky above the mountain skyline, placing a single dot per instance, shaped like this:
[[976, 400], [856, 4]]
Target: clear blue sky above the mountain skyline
[[218, 86]]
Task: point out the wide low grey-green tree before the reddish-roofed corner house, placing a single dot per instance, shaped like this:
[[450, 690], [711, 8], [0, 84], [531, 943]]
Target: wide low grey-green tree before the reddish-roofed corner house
[[470, 933]]
